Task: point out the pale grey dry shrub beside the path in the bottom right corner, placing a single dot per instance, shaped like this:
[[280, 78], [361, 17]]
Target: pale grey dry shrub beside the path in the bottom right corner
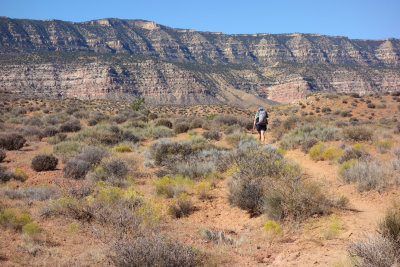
[[375, 251]]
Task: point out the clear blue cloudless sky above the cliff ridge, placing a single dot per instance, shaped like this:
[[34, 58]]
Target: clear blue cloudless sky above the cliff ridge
[[365, 19]]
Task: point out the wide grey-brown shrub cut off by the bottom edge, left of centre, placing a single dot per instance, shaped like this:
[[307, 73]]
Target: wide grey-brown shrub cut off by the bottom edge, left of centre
[[154, 250]]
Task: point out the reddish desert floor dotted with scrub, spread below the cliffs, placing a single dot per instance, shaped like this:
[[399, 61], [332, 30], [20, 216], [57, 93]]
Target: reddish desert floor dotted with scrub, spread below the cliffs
[[112, 202]]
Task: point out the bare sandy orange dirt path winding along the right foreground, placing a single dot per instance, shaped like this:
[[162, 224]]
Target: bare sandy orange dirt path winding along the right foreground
[[312, 248]]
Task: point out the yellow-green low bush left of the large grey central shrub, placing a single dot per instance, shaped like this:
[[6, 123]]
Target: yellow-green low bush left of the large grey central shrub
[[172, 185]]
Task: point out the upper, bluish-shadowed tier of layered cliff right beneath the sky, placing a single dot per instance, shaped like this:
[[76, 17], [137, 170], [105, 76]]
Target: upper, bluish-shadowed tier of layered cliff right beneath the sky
[[147, 38]]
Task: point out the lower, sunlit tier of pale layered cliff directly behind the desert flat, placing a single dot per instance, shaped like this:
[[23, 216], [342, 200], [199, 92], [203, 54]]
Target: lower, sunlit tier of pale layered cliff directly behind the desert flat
[[124, 77]]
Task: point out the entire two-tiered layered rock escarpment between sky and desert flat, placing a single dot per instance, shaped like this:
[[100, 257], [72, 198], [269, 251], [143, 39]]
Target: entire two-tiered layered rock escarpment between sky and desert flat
[[120, 59]]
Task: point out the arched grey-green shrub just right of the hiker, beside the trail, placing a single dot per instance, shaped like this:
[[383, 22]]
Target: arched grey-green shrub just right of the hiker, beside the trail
[[298, 135]]
